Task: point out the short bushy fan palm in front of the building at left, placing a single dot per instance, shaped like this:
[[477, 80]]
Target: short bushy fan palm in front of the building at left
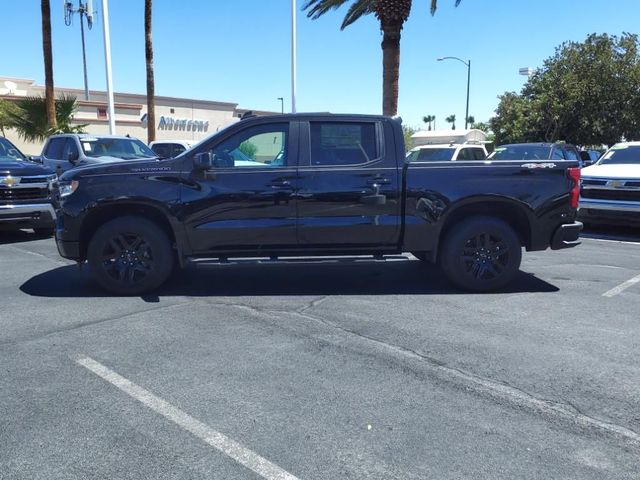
[[30, 119]]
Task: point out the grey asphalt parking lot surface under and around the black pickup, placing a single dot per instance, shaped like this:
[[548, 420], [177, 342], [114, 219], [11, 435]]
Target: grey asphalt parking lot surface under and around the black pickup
[[323, 371]]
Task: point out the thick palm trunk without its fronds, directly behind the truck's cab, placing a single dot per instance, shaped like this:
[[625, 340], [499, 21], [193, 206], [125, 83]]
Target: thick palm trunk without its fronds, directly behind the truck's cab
[[390, 65]]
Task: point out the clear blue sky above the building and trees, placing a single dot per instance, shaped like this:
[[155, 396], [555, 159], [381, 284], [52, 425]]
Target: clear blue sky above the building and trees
[[239, 51]]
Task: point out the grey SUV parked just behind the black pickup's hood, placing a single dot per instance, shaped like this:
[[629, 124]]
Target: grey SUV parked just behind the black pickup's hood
[[69, 150]]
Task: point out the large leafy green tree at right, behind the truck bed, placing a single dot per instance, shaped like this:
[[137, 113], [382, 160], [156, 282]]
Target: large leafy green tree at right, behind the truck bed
[[587, 93]]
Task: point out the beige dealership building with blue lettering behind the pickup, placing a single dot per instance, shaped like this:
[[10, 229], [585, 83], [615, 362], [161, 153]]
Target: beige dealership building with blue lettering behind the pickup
[[176, 118]]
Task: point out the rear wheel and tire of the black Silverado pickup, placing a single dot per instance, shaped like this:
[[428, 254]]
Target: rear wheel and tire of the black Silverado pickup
[[480, 254]]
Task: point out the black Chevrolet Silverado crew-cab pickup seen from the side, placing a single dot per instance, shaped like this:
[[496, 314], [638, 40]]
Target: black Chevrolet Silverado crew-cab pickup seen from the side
[[309, 185]]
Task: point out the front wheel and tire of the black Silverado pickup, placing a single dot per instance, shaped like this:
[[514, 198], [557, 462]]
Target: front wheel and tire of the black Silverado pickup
[[130, 256]]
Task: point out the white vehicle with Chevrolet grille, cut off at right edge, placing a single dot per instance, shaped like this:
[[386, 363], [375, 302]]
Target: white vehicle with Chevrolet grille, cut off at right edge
[[610, 191]]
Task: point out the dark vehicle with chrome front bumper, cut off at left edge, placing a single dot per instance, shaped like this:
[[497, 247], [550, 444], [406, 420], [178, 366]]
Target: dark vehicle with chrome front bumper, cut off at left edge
[[28, 192]]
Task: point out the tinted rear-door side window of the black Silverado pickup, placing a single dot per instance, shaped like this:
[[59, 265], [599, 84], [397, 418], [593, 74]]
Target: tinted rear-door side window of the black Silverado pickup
[[342, 143]]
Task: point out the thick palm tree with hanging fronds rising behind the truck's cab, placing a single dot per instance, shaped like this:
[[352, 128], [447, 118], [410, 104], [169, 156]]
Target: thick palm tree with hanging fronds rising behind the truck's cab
[[391, 14]]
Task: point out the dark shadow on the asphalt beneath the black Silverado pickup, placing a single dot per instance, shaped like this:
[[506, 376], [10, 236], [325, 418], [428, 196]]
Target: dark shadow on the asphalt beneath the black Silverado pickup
[[366, 278]]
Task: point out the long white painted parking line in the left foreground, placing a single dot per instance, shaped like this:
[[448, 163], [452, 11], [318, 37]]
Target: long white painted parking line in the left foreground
[[217, 440]]
